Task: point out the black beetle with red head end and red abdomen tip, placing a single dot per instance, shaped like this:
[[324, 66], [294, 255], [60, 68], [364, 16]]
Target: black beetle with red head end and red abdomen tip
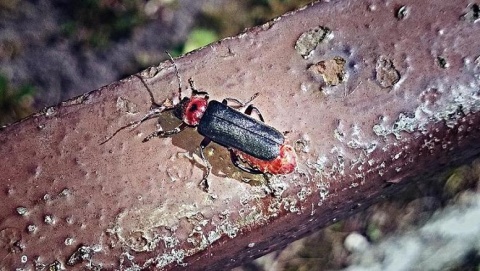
[[254, 146]]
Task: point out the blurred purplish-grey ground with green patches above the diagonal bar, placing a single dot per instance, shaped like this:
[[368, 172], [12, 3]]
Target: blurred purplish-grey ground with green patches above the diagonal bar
[[53, 50]]
